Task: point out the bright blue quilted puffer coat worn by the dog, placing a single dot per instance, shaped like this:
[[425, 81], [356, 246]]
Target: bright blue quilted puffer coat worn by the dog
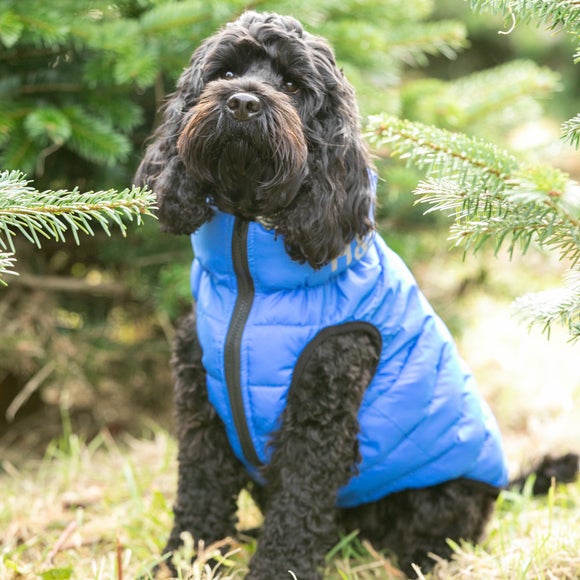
[[422, 421]]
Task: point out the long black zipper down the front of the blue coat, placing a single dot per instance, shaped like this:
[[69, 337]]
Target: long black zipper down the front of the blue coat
[[233, 344]]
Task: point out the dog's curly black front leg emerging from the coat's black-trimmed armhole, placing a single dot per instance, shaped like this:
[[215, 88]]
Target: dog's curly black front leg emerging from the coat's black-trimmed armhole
[[315, 452]]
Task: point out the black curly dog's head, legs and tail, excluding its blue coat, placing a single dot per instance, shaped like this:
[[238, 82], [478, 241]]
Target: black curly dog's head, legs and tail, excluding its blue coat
[[264, 126]]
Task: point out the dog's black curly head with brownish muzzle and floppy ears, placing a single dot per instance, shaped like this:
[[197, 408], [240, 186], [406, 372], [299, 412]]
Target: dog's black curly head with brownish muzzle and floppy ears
[[264, 125]]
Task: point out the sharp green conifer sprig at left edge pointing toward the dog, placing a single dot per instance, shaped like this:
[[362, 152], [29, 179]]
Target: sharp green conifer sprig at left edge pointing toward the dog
[[57, 214]]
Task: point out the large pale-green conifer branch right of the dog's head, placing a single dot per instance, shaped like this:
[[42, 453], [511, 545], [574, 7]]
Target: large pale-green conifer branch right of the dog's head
[[490, 195]]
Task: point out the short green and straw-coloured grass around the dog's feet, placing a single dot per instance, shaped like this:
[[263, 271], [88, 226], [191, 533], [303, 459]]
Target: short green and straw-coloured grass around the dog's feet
[[102, 510]]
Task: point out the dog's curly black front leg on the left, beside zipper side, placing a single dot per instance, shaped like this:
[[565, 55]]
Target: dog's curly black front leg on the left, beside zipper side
[[210, 476]]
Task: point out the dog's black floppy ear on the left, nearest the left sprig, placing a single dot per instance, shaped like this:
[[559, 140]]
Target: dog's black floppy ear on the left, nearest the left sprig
[[182, 207]]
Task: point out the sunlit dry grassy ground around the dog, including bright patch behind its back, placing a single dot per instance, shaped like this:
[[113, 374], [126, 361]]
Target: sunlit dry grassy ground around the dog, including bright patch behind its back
[[102, 510]]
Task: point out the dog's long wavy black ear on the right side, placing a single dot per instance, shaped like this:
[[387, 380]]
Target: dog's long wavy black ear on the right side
[[334, 204]]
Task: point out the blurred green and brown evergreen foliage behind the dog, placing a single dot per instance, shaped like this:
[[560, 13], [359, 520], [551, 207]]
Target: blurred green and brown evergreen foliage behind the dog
[[80, 84]]
